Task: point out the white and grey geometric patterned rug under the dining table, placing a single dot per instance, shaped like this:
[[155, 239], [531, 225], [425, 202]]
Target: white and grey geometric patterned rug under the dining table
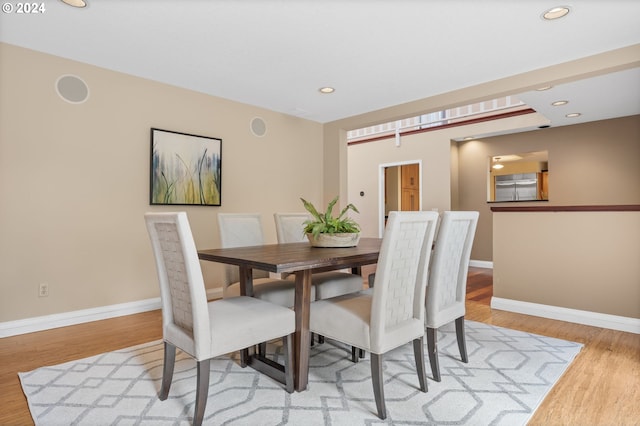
[[507, 377]]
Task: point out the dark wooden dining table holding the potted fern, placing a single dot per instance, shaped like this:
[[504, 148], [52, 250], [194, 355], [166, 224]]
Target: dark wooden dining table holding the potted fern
[[302, 260]]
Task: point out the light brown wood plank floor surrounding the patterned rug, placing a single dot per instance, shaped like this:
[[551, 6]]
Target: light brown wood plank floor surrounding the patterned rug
[[601, 387]]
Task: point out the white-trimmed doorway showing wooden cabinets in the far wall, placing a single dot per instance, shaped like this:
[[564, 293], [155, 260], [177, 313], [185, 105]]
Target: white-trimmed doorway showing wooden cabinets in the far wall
[[399, 189]]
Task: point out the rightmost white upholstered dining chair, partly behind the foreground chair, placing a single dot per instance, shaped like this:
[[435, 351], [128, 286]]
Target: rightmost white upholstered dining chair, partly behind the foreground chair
[[446, 292]]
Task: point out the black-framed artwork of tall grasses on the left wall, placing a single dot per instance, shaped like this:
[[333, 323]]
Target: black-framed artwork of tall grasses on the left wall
[[185, 169]]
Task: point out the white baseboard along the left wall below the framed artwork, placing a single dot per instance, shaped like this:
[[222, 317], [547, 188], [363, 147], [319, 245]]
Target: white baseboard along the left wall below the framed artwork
[[47, 322]]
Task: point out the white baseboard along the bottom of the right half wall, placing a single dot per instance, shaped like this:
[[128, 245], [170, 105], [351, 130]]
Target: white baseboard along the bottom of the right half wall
[[596, 319]]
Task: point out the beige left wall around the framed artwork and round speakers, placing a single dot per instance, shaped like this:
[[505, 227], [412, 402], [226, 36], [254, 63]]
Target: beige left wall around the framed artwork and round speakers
[[74, 179]]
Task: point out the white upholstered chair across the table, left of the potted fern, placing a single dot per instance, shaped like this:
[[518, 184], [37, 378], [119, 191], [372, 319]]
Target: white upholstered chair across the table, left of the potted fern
[[242, 230]]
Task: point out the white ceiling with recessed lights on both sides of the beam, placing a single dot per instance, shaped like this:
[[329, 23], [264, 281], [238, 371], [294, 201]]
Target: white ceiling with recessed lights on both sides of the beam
[[277, 53]]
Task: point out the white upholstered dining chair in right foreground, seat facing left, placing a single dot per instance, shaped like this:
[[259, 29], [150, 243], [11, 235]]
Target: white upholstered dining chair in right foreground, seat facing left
[[390, 314]]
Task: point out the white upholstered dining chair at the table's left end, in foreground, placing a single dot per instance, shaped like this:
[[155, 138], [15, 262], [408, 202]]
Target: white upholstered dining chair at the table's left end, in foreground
[[202, 329]]
